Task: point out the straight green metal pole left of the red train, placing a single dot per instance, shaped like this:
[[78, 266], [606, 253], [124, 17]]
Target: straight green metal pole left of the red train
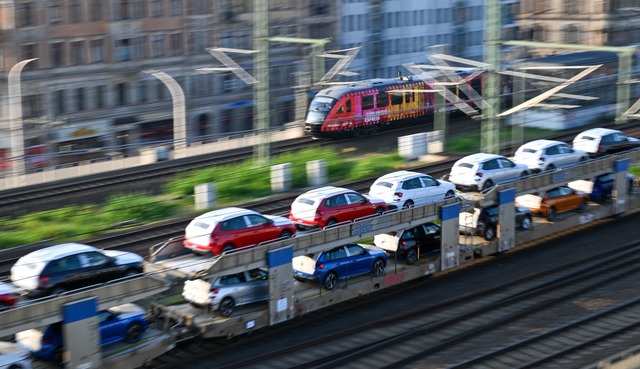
[[261, 89]]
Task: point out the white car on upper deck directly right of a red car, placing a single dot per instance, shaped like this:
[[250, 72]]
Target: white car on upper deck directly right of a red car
[[405, 189]]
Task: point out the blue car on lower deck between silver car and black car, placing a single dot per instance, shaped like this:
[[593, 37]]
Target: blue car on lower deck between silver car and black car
[[329, 266]]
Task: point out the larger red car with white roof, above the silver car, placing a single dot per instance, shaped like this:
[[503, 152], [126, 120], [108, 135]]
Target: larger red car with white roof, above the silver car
[[228, 229]]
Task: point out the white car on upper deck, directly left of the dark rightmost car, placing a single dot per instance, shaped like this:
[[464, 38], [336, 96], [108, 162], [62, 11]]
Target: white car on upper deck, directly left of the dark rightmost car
[[544, 155]]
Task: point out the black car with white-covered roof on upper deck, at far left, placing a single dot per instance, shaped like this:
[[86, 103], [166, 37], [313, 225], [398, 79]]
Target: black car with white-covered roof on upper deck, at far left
[[57, 269]]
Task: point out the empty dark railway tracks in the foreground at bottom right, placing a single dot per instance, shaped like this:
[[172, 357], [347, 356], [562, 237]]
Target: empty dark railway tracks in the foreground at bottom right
[[568, 315]]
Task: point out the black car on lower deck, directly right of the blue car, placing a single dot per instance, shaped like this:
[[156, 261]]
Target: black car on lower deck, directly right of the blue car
[[412, 243]]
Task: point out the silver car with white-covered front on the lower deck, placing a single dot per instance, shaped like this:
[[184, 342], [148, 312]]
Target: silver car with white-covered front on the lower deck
[[226, 292]]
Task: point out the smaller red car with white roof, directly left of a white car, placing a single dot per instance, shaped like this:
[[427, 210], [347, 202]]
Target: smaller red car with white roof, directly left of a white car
[[329, 205]]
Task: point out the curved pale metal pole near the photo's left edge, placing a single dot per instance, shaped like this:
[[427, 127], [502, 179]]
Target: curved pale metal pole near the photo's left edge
[[15, 119]]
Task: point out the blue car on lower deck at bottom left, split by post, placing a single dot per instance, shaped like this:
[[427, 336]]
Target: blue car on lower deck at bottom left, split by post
[[126, 323]]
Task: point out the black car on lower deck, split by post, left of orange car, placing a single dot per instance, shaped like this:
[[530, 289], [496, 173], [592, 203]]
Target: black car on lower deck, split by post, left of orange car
[[486, 222]]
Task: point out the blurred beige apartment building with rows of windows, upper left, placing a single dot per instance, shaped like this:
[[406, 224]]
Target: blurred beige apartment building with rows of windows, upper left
[[88, 92]]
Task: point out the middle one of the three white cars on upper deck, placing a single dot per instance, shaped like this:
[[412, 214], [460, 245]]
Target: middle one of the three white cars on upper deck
[[482, 171]]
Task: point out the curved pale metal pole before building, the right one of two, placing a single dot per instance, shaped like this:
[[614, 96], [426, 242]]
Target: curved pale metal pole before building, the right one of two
[[179, 112]]
